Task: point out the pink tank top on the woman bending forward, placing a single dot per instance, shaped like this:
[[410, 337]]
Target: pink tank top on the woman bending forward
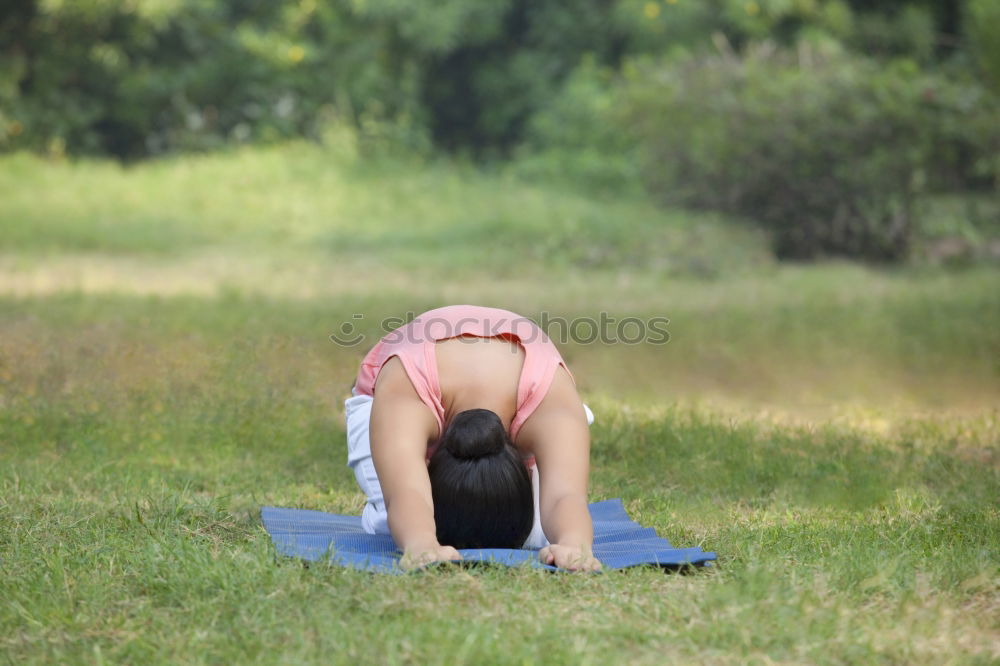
[[413, 343]]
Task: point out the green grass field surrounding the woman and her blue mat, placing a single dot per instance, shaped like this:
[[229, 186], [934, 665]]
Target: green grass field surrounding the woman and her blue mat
[[831, 431]]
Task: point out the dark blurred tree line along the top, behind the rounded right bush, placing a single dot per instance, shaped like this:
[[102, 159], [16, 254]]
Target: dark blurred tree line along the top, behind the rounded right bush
[[139, 77]]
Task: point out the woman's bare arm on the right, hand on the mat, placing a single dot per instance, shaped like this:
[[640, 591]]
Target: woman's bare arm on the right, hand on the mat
[[559, 437]]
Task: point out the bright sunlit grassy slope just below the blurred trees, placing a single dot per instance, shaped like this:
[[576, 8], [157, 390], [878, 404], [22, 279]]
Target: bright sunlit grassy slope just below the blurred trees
[[401, 215]]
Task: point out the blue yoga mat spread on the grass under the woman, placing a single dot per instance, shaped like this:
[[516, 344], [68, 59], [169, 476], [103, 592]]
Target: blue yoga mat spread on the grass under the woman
[[618, 542]]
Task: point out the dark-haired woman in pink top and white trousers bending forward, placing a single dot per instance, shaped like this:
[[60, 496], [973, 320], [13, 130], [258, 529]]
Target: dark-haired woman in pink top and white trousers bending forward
[[465, 430]]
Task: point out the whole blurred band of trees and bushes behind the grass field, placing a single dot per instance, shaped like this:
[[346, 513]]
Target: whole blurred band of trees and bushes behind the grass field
[[828, 140]]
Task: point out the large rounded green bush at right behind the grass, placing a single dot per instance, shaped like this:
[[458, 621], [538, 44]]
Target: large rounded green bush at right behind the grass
[[827, 151]]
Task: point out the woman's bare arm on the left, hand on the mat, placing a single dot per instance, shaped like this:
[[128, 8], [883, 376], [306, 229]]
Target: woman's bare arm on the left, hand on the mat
[[401, 425]]
